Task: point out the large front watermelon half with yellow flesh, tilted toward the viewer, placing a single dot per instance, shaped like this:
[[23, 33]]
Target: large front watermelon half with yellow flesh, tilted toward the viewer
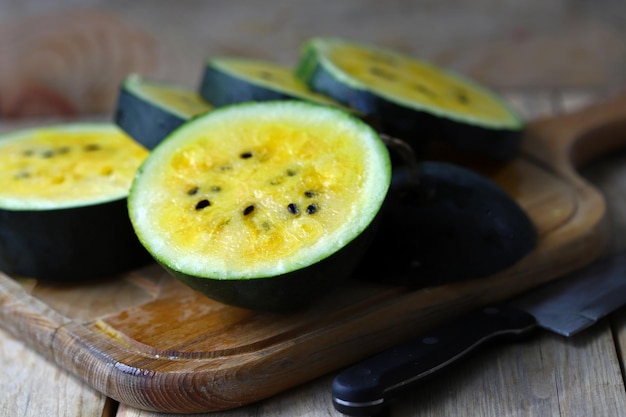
[[262, 205]]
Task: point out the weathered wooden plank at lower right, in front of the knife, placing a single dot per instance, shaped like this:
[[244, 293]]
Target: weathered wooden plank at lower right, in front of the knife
[[544, 376]]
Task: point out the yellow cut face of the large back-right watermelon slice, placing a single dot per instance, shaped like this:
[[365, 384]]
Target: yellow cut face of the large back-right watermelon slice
[[401, 77]]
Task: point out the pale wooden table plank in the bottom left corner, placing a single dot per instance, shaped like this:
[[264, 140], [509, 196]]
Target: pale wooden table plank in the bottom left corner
[[32, 386]]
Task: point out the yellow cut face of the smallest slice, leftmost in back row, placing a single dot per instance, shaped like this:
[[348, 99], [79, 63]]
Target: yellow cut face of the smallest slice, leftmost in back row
[[182, 102]]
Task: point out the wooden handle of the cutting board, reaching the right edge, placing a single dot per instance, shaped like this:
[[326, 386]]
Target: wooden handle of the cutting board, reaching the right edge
[[574, 139]]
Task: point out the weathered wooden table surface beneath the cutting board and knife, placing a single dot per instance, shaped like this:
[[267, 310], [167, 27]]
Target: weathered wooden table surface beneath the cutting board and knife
[[545, 375]]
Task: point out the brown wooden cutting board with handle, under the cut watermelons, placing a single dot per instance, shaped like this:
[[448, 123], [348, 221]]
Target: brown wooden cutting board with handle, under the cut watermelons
[[148, 341]]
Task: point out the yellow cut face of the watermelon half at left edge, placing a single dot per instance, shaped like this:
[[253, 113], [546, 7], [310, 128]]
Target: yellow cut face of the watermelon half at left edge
[[64, 166]]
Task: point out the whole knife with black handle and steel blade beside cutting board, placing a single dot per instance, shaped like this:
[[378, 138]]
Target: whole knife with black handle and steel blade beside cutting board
[[566, 306]]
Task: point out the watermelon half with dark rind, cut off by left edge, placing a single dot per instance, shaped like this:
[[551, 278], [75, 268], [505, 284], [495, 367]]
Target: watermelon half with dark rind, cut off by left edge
[[63, 196]]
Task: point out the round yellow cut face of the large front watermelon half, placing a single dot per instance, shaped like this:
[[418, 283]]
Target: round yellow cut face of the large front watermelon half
[[242, 194]]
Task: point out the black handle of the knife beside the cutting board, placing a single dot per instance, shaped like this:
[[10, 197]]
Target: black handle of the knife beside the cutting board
[[364, 389]]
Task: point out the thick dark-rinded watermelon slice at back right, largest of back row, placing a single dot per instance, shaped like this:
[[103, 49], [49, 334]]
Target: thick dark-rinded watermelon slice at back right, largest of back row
[[410, 98]]
